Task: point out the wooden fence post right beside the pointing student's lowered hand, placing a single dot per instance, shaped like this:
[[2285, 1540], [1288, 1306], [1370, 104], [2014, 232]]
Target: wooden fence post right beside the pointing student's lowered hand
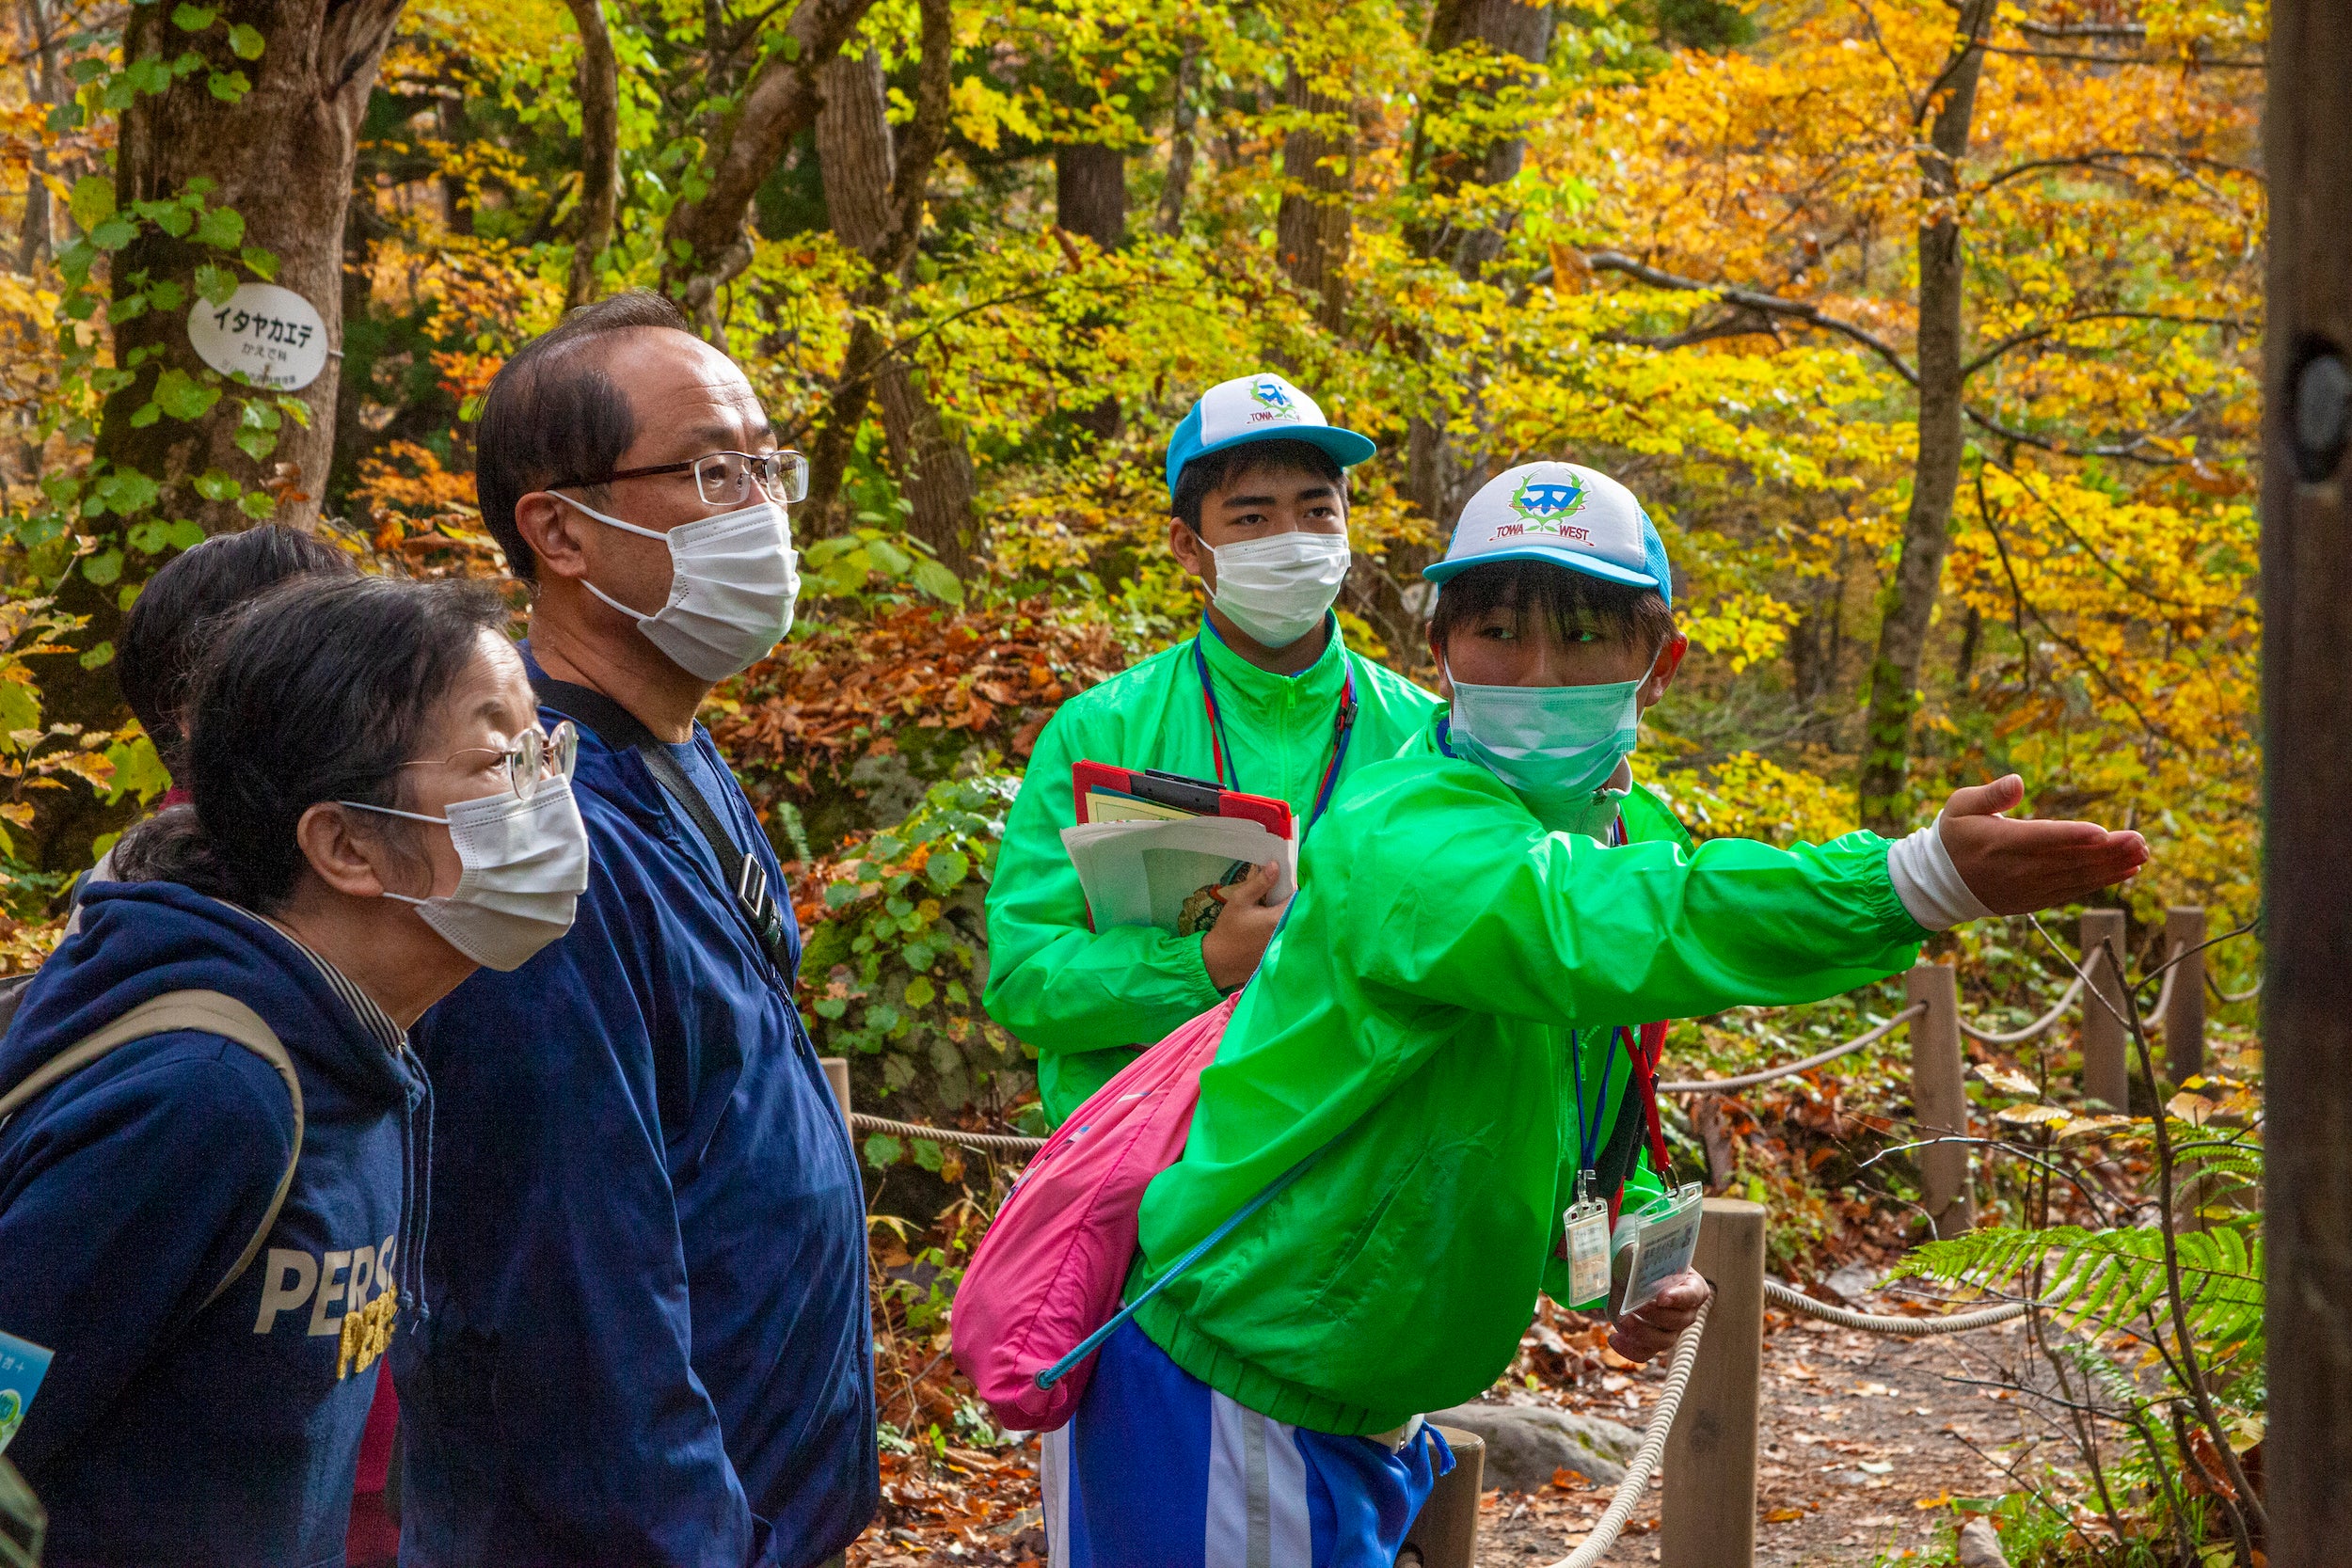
[[1711, 1456]]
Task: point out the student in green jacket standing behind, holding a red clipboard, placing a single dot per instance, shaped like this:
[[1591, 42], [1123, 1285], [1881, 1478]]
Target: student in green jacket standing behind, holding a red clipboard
[[1264, 699]]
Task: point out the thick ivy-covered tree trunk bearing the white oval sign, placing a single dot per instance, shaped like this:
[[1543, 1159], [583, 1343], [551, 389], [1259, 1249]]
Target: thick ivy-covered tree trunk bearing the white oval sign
[[281, 156]]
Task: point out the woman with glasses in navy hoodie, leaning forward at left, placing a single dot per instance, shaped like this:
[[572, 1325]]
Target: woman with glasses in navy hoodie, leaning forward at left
[[215, 1127]]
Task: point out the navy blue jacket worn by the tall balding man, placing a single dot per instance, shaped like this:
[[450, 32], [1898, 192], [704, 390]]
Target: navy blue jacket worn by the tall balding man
[[650, 1332]]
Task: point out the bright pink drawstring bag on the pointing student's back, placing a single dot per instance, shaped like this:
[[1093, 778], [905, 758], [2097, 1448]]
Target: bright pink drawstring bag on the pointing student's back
[[1045, 1287]]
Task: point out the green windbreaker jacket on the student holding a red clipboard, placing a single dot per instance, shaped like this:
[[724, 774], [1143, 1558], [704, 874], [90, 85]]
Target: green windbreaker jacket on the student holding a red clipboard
[[1083, 998]]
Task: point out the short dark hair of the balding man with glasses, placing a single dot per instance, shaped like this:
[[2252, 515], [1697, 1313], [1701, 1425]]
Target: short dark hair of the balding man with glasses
[[554, 413]]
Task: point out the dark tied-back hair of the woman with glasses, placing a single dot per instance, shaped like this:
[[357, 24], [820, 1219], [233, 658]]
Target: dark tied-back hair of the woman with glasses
[[314, 692]]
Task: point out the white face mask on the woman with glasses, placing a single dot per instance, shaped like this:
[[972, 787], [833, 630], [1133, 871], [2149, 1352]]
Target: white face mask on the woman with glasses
[[526, 871]]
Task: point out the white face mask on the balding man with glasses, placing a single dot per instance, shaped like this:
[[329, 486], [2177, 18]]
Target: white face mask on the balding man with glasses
[[733, 587]]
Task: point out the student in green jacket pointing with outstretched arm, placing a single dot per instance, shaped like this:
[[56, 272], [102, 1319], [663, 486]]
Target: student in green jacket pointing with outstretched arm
[[1438, 1028]]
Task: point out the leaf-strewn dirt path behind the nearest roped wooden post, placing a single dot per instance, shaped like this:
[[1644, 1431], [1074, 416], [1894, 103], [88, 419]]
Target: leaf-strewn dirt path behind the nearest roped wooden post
[[1857, 1435]]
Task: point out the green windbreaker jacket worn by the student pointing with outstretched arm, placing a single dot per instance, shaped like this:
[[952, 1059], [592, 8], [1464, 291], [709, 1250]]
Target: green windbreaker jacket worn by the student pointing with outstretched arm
[[1415, 1014]]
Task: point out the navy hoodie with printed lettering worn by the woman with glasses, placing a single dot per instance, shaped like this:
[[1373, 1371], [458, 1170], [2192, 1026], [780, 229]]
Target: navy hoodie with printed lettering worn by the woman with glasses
[[168, 1430]]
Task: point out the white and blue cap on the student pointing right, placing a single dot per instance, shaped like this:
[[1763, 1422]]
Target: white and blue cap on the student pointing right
[[1561, 514]]
